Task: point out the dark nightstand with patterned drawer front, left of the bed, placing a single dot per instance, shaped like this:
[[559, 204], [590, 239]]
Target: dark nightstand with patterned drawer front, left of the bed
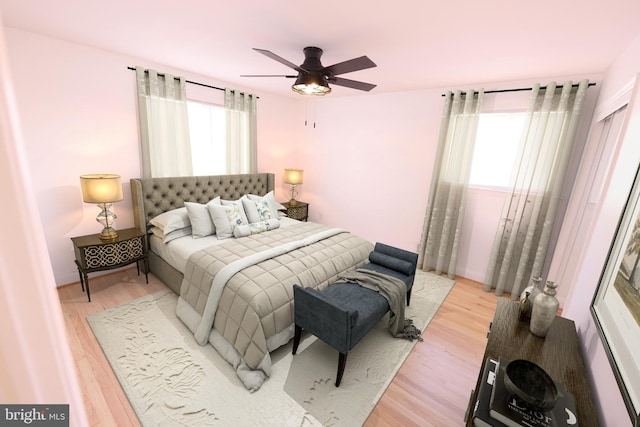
[[94, 254]]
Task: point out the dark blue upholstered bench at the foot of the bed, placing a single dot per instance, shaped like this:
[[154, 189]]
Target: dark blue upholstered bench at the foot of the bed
[[344, 313]]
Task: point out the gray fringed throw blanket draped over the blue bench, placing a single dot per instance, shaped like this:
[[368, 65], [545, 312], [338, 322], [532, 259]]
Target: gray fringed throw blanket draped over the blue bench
[[394, 291]]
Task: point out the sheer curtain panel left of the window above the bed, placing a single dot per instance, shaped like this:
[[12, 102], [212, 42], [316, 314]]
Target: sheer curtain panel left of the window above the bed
[[164, 124]]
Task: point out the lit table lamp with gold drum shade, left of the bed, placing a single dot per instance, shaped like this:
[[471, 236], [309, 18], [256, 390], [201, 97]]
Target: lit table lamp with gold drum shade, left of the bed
[[102, 189]]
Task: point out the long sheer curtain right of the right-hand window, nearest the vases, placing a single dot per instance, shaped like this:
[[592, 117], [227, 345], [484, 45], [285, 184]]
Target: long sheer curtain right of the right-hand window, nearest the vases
[[524, 236]]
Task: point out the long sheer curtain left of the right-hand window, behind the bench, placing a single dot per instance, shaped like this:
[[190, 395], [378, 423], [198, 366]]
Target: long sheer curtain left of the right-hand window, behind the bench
[[447, 196]]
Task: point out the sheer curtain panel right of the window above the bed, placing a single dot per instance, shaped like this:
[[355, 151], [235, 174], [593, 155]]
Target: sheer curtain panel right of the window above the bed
[[242, 138]]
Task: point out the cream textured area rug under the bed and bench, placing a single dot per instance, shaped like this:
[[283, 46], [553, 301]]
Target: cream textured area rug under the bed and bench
[[171, 380]]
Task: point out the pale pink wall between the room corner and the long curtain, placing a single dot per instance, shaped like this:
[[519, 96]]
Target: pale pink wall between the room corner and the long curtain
[[368, 163]]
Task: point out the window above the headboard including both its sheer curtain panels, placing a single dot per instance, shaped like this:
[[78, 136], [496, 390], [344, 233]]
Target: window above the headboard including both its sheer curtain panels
[[196, 135]]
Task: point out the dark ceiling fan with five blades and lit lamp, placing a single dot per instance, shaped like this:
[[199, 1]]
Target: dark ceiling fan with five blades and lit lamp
[[313, 78]]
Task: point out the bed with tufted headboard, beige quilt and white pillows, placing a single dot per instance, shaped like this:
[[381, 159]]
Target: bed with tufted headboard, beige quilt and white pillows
[[236, 292]]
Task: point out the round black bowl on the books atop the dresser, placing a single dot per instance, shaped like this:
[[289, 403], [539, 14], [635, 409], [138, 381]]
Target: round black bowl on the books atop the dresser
[[531, 383]]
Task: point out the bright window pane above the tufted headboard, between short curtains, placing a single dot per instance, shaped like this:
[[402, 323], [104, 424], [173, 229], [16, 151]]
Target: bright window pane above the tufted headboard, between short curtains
[[207, 134]]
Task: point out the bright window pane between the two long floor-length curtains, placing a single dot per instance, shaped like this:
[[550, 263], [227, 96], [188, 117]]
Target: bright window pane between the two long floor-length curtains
[[494, 155]]
